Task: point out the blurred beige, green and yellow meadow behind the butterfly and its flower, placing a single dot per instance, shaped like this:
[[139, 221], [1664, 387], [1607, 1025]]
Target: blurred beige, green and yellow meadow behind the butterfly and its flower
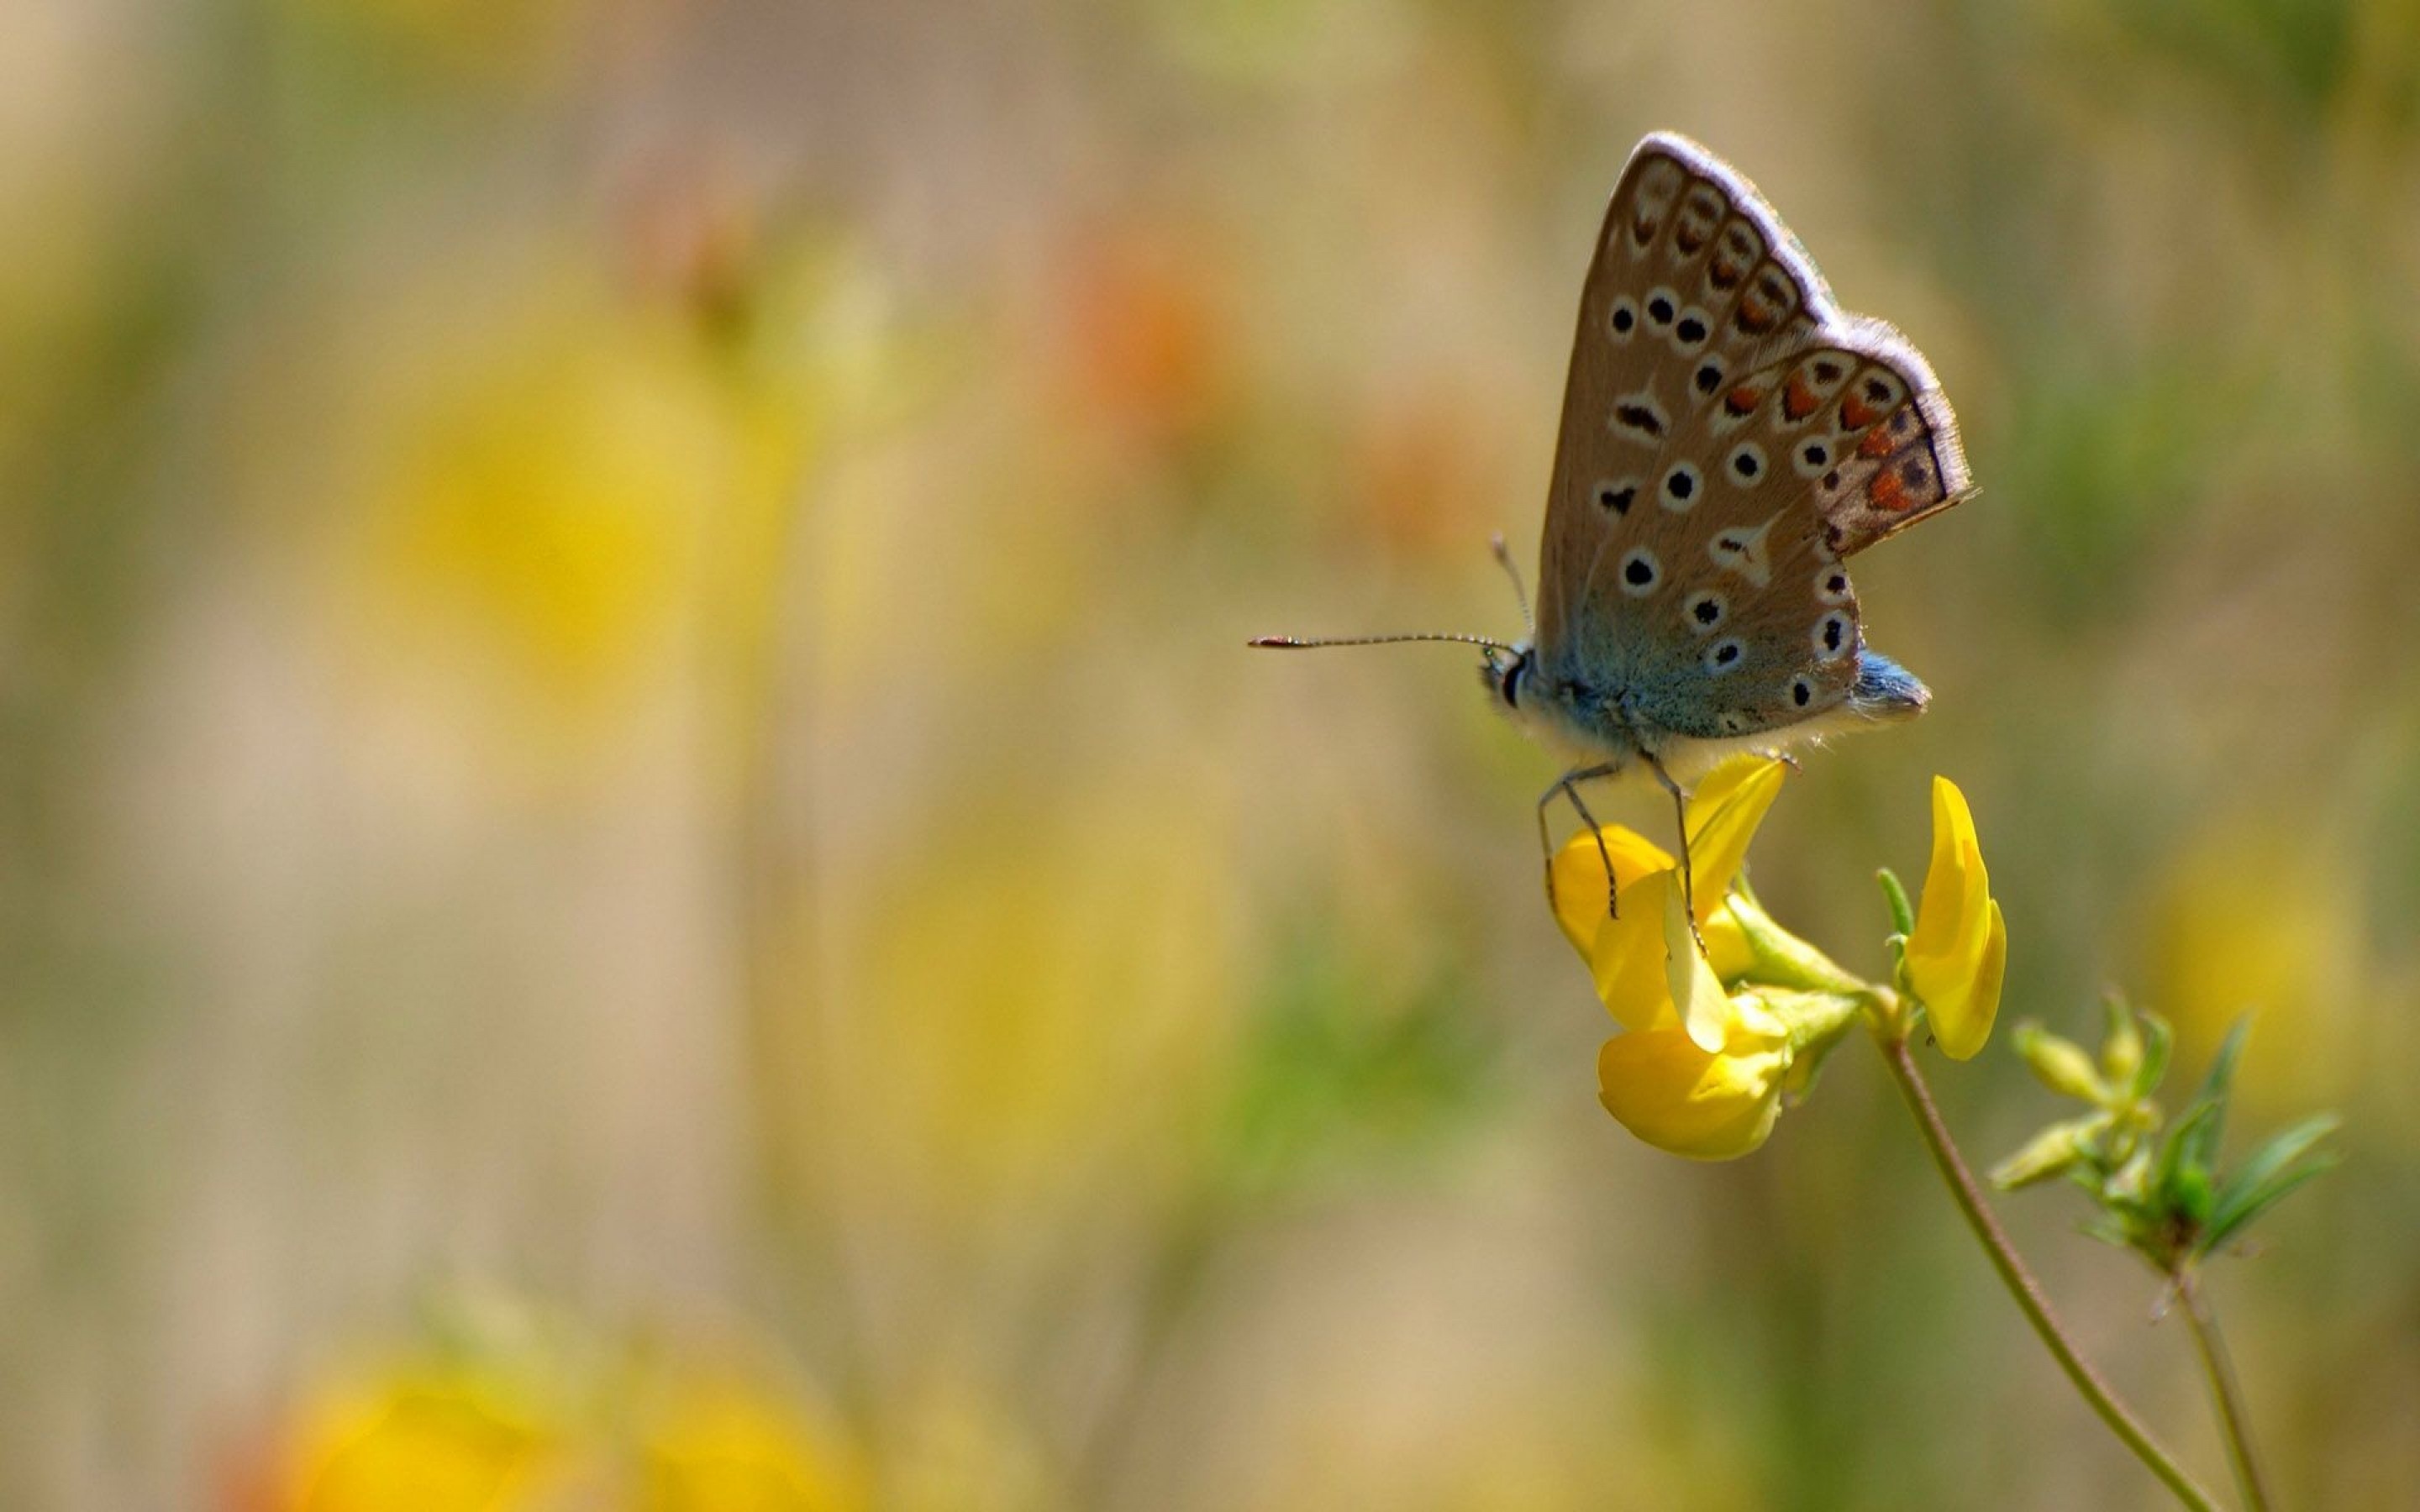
[[643, 865]]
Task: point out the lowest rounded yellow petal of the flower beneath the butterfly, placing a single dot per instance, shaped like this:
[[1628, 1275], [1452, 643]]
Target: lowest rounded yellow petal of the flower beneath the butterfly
[[1676, 1097]]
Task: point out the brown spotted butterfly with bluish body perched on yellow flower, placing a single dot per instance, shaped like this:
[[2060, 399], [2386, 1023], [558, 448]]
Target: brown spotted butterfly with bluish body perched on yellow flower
[[1729, 442]]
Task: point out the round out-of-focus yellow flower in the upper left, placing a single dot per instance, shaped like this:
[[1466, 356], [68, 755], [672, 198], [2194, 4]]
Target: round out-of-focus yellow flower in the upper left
[[538, 512]]
